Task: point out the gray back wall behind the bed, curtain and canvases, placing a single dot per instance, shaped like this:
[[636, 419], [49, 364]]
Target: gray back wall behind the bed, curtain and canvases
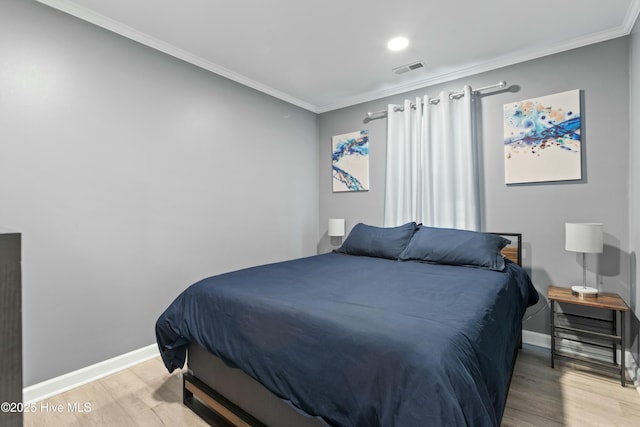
[[539, 211]]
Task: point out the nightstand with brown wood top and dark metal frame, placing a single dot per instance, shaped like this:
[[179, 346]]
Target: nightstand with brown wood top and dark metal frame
[[590, 328]]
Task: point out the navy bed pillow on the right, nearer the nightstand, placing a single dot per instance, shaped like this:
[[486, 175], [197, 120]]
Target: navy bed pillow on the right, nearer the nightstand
[[456, 247]]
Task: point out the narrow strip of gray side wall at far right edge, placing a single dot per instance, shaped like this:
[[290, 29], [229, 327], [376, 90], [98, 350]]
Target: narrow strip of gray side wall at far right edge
[[634, 184]]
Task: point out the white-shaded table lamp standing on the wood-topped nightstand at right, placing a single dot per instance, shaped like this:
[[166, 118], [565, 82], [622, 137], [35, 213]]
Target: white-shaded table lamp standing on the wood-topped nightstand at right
[[585, 238]]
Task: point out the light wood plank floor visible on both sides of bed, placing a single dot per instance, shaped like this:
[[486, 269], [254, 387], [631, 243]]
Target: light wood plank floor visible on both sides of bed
[[146, 395]]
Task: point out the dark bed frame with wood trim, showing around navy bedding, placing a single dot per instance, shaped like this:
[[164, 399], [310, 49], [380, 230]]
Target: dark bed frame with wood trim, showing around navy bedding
[[225, 396]]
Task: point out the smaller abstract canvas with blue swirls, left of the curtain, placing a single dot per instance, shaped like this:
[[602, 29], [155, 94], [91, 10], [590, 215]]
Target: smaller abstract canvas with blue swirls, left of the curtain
[[350, 161]]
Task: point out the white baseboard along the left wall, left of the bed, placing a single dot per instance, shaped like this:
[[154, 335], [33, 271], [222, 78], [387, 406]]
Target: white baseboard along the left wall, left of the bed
[[48, 388]]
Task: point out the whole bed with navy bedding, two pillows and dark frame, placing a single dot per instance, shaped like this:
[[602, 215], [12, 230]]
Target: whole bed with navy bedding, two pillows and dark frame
[[401, 326]]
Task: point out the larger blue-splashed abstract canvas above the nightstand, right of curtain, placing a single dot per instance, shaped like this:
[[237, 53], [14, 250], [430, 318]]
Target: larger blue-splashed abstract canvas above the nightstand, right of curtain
[[542, 139]]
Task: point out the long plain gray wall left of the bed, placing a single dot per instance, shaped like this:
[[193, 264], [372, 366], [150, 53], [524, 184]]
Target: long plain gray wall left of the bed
[[132, 174]]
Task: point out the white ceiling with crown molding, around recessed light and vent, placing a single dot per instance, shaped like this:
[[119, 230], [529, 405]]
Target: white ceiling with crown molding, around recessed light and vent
[[326, 54]]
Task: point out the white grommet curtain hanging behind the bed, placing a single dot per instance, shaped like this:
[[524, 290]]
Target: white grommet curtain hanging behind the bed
[[432, 171]]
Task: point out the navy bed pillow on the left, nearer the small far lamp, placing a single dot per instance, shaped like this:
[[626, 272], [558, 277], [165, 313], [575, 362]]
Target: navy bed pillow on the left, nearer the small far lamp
[[380, 242]]
